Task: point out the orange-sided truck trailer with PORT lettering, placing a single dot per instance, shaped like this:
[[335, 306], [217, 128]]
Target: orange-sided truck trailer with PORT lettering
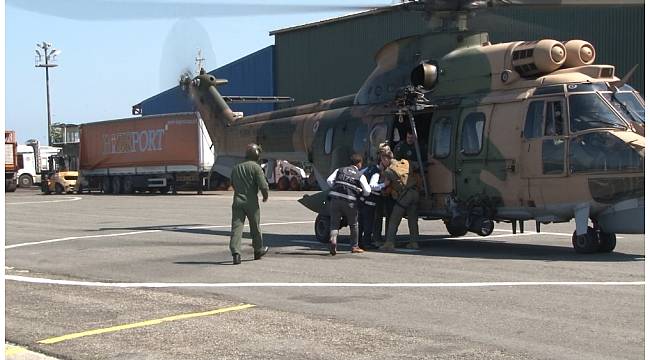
[[151, 153]]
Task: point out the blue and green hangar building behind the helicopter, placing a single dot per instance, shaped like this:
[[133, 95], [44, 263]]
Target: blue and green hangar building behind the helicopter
[[332, 58]]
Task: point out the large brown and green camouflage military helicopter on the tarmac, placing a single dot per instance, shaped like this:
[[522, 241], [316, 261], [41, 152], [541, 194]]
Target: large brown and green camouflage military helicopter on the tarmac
[[504, 132]]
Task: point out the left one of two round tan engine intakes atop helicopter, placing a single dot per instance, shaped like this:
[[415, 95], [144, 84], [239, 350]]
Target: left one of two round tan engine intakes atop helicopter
[[538, 57]]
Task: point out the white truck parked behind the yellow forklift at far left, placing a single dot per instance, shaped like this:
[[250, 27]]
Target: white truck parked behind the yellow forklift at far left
[[32, 162]]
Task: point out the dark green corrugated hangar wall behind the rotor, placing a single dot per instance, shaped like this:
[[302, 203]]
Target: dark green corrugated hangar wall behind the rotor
[[333, 59]]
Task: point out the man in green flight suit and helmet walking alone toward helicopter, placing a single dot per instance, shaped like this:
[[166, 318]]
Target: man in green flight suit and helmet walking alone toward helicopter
[[247, 179]]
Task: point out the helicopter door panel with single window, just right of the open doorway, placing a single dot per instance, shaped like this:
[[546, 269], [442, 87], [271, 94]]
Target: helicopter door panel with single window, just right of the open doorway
[[471, 150]]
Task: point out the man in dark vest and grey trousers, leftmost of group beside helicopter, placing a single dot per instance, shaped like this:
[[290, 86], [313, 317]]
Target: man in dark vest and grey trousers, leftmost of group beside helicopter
[[346, 187]]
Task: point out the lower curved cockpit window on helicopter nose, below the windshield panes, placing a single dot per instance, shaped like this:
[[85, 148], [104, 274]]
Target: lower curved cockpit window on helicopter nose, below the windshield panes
[[603, 152]]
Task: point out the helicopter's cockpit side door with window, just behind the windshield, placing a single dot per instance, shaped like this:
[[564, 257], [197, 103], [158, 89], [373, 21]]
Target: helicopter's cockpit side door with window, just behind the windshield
[[543, 146]]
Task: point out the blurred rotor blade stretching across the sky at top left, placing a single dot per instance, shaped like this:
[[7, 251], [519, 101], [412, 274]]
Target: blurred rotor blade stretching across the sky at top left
[[158, 9]]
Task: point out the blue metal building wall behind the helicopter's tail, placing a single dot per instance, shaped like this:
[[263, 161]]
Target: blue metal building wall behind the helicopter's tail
[[250, 75]]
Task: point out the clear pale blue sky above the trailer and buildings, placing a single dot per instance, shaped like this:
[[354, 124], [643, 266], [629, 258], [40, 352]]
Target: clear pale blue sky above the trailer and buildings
[[107, 65]]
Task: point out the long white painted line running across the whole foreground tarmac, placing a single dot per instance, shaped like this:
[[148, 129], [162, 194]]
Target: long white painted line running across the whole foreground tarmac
[[319, 285]]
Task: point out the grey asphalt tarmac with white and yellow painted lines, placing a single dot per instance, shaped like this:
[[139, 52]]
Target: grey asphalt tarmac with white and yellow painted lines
[[151, 277]]
